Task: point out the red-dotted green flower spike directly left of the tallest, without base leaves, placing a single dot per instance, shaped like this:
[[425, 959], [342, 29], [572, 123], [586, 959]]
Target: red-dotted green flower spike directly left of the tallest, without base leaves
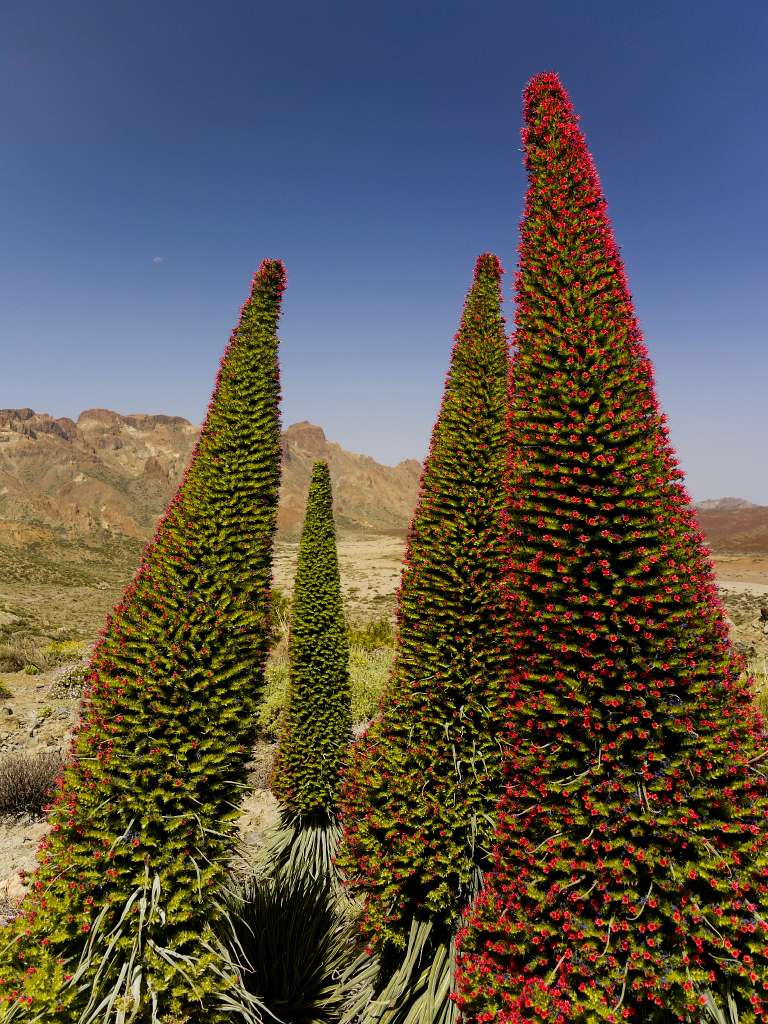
[[419, 797]]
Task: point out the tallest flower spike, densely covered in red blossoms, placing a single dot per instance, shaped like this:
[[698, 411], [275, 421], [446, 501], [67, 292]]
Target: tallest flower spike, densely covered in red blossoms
[[630, 872]]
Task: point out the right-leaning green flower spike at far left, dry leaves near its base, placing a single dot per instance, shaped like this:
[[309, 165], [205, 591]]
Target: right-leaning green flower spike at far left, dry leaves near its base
[[143, 822]]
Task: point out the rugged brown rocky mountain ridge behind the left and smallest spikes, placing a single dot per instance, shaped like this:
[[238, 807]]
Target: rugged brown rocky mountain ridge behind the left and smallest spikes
[[115, 474]]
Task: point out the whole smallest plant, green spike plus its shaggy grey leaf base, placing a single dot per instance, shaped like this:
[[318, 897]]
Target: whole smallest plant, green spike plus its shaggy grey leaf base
[[286, 924]]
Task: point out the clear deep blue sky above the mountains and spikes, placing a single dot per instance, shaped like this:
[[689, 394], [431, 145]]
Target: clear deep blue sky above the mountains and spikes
[[153, 153]]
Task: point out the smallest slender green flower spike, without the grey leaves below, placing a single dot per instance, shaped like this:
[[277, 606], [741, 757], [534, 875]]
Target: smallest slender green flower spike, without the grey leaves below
[[317, 730]]
